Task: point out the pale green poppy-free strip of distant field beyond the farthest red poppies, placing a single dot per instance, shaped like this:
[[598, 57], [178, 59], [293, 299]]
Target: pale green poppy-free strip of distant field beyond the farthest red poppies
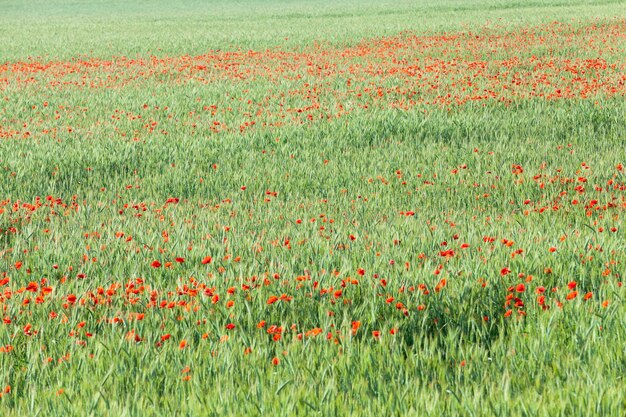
[[61, 30]]
